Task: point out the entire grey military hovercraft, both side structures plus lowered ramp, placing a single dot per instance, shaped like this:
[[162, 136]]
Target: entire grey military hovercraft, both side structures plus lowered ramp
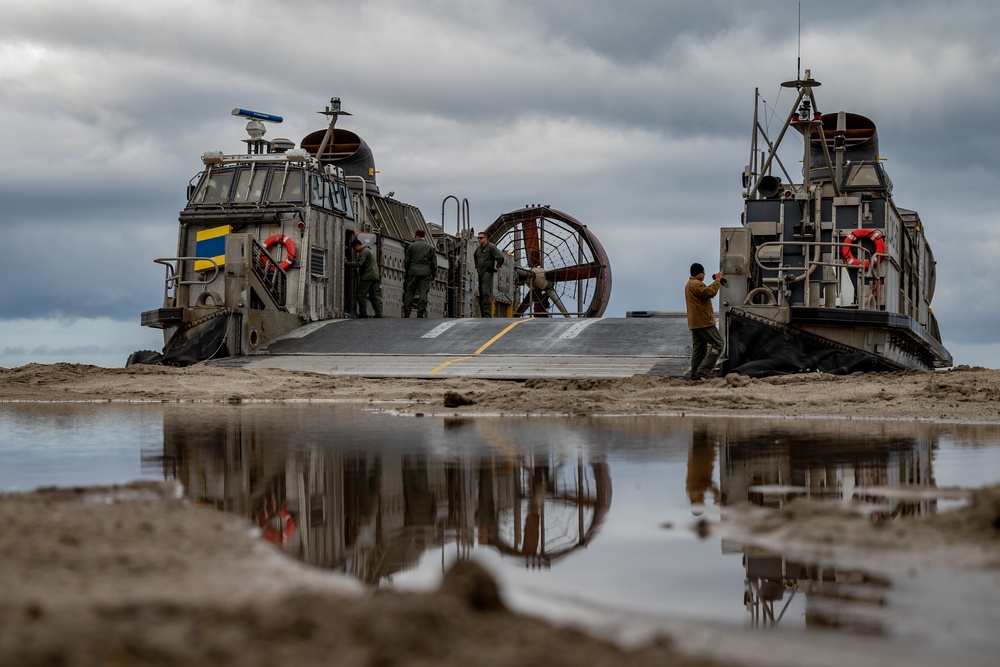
[[824, 275]]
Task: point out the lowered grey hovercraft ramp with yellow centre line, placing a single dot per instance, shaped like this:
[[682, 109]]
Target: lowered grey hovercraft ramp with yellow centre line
[[503, 349]]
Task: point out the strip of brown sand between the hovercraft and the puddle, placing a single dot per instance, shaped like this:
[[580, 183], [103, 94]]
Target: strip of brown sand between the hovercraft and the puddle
[[963, 394]]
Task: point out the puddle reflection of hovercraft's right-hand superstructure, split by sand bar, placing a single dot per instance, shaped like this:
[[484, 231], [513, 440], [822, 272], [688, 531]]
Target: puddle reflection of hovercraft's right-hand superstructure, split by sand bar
[[863, 465]]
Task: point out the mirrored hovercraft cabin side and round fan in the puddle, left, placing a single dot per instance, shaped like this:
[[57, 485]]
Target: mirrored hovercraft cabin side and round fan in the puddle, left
[[319, 491]]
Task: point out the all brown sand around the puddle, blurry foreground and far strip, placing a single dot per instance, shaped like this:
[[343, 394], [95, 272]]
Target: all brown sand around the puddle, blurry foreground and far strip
[[135, 575]]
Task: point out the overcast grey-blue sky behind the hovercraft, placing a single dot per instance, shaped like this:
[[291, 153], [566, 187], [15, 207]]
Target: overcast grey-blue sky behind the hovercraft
[[633, 116]]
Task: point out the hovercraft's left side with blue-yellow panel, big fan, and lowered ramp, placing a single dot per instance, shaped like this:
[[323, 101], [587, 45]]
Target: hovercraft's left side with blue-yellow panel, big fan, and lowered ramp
[[259, 278]]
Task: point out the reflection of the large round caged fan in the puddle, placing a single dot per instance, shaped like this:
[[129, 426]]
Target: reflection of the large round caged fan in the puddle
[[555, 510]]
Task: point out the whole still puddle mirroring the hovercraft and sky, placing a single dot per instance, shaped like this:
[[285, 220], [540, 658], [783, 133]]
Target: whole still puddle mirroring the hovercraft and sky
[[598, 514]]
